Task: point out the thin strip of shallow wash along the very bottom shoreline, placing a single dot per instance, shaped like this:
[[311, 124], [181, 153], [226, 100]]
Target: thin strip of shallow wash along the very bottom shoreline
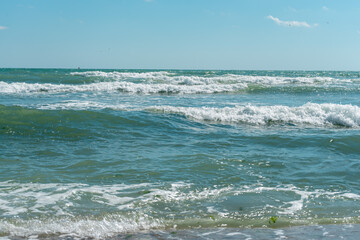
[[331, 231]]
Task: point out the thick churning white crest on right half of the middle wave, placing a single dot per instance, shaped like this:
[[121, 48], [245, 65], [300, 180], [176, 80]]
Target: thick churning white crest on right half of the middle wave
[[309, 114]]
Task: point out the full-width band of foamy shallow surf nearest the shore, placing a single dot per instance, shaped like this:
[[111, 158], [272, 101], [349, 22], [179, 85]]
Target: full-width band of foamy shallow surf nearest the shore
[[135, 207]]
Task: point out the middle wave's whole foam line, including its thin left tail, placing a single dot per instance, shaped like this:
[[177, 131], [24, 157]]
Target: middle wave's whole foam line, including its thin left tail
[[310, 114]]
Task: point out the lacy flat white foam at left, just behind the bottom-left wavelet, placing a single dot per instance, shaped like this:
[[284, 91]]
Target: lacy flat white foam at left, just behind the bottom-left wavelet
[[56, 199]]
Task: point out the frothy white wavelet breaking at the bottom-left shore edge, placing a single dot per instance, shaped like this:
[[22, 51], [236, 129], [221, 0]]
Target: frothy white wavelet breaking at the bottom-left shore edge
[[109, 226]]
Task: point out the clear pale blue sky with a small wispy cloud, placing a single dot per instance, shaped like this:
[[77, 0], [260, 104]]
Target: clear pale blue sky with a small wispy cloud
[[181, 34]]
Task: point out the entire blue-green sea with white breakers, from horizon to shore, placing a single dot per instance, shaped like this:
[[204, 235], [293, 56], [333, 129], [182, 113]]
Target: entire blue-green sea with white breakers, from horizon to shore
[[179, 154]]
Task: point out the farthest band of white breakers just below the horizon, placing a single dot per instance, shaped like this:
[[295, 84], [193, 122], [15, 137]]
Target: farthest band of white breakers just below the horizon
[[163, 82]]
